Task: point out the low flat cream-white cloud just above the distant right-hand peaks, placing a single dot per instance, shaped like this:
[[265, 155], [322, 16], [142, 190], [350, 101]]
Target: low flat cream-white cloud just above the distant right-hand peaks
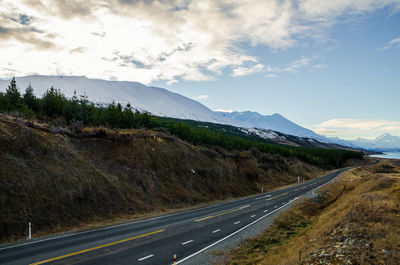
[[353, 128]]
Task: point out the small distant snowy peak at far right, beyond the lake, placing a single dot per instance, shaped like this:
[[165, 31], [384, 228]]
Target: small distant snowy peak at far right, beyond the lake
[[381, 143]]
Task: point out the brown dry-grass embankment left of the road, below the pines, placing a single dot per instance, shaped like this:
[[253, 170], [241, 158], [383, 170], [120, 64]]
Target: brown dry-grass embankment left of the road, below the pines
[[54, 180]]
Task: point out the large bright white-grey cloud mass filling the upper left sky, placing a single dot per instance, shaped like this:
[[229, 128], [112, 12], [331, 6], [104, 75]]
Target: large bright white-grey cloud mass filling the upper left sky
[[170, 40]]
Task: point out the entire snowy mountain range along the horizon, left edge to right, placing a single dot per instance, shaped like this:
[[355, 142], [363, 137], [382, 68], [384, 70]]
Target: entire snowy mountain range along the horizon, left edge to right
[[162, 102]]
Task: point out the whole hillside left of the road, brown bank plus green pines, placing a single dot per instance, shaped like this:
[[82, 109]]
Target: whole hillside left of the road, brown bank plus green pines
[[67, 162]]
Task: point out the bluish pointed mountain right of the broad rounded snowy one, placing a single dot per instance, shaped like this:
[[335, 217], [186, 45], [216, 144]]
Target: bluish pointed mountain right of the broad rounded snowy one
[[275, 122]]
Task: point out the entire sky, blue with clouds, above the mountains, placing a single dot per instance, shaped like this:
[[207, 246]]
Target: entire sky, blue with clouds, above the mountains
[[331, 66]]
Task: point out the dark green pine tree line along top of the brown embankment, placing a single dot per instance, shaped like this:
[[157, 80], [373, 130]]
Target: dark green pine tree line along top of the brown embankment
[[55, 105]]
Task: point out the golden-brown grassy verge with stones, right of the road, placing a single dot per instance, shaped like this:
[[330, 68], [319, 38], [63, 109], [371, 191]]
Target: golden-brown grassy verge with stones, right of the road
[[353, 221]]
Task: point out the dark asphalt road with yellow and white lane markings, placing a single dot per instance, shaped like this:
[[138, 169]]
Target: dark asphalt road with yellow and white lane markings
[[156, 240]]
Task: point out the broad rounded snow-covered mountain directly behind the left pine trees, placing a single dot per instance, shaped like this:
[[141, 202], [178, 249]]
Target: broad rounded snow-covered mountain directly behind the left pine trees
[[155, 100]]
